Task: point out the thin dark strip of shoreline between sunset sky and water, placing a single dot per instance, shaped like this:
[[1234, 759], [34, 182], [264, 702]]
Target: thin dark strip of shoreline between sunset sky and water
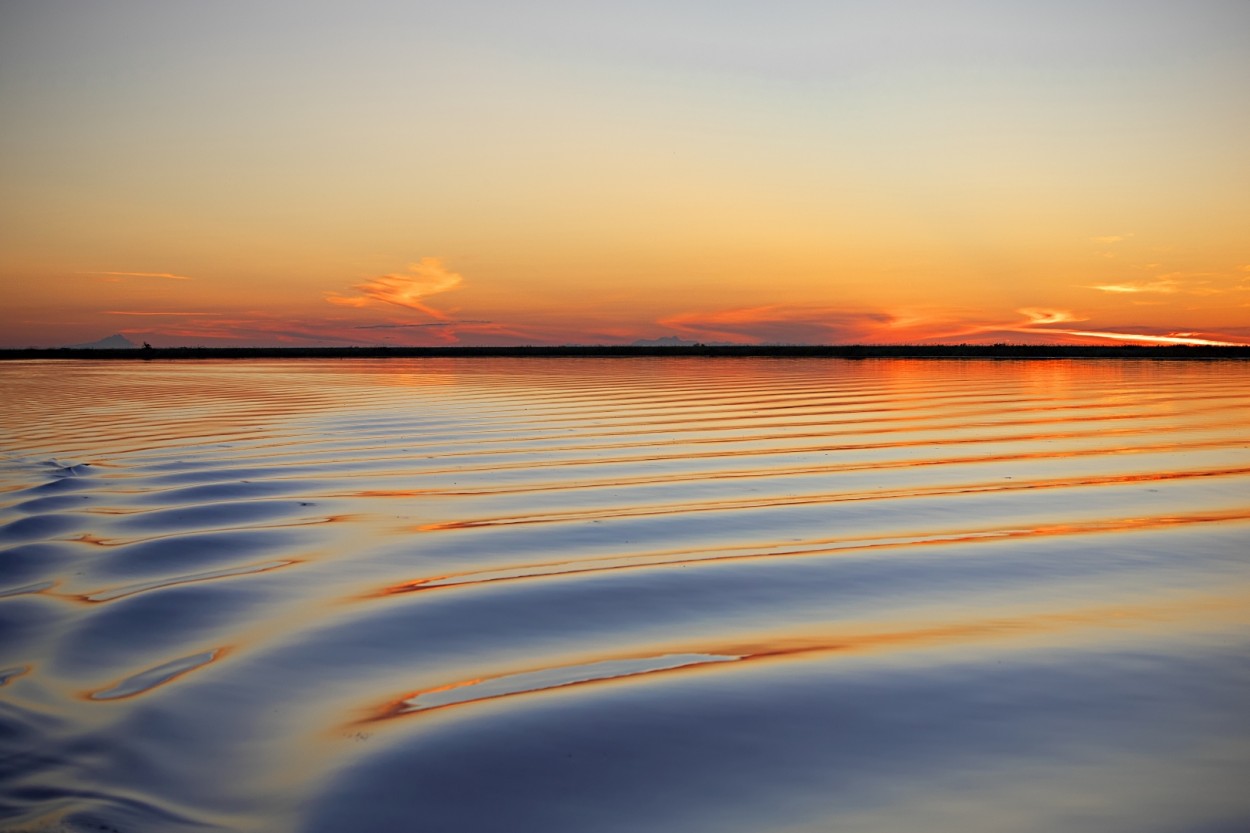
[[746, 351]]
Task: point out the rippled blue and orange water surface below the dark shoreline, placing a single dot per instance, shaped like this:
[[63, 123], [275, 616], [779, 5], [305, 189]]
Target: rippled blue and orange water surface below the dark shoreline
[[626, 595]]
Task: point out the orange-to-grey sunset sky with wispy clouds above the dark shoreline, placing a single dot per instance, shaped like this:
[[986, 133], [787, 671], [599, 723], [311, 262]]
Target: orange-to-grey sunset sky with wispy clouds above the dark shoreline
[[489, 172]]
